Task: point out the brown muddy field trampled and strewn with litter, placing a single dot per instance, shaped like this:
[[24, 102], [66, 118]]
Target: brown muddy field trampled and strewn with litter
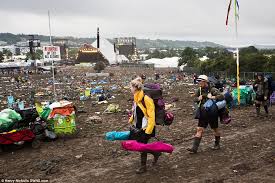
[[247, 153]]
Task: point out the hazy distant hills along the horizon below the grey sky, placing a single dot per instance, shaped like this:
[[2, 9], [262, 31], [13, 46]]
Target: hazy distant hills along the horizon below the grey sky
[[141, 43]]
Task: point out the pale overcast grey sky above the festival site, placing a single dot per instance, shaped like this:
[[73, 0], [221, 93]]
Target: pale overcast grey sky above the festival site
[[200, 20]]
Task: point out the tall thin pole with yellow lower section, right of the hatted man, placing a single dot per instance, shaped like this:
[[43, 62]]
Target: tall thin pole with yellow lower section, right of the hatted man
[[237, 50]]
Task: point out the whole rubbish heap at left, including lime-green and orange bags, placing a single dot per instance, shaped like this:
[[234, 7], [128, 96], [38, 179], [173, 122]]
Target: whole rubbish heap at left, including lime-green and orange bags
[[35, 124]]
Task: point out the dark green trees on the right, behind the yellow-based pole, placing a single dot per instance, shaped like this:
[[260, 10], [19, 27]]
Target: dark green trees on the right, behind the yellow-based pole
[[221, 59]]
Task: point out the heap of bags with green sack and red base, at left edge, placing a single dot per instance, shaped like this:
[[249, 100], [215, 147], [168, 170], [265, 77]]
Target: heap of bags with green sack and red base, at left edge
[[18, 127]]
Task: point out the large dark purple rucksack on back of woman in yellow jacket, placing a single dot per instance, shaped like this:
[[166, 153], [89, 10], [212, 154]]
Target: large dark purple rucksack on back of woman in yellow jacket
[[154, 91]]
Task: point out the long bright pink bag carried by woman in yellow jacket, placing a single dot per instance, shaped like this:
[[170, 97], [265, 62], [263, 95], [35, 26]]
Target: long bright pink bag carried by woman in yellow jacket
[[133, 145]]
